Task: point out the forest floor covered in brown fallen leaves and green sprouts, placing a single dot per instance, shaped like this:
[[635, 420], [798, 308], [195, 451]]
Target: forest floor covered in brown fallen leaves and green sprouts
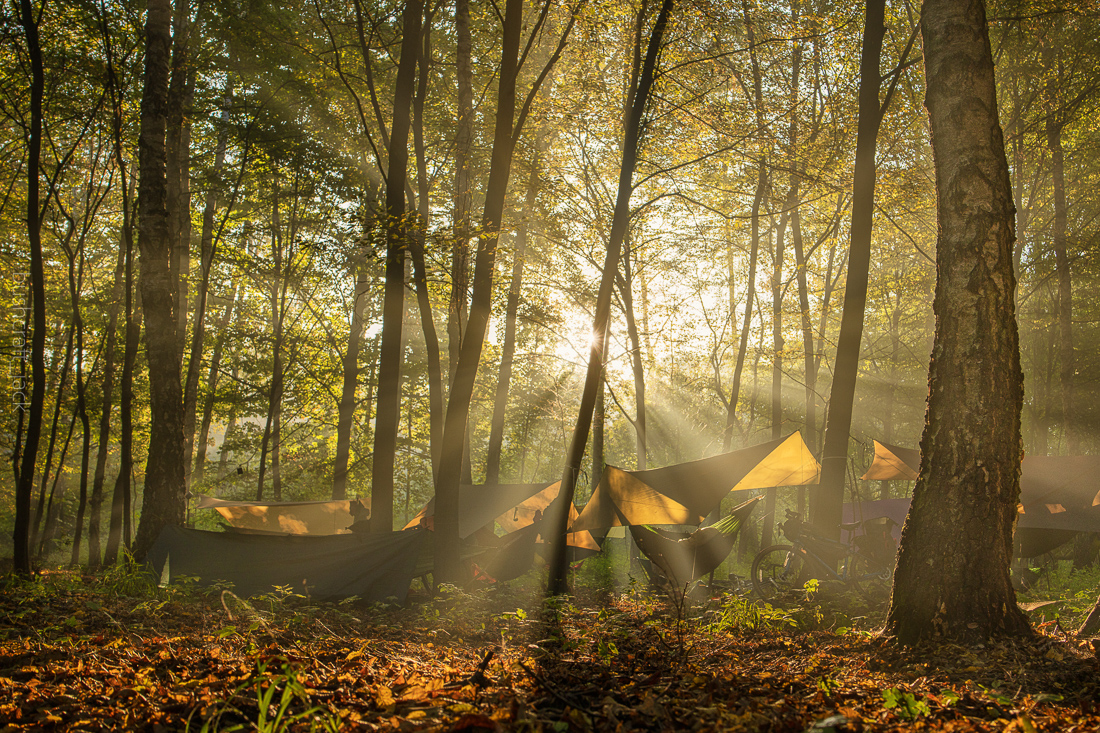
[[83, 654]]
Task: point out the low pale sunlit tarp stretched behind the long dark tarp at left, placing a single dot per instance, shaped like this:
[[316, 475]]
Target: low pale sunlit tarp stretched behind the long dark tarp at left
[[325, 518]]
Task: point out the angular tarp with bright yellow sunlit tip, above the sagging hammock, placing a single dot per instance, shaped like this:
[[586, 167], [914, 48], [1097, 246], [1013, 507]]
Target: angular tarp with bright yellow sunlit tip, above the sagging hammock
[[686, 494]]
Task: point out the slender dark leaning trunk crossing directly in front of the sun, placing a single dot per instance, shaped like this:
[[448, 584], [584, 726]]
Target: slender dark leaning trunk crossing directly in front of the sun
[[621, 222]]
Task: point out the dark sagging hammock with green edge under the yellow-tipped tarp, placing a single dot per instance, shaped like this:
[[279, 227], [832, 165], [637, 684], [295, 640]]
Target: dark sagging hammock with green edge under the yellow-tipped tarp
[[688, 560]]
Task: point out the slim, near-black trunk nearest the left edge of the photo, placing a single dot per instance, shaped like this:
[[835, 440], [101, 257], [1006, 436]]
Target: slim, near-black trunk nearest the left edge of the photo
[[25, 489]]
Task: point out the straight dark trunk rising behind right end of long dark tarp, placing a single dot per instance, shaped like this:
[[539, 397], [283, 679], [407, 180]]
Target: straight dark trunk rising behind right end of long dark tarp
[[393, 312]]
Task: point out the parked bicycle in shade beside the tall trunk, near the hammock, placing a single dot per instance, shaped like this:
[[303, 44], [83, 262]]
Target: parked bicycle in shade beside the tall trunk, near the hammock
[[782, 570]]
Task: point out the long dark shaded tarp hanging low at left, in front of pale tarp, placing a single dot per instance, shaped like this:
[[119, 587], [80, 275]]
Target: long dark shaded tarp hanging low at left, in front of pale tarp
[[375, 567]]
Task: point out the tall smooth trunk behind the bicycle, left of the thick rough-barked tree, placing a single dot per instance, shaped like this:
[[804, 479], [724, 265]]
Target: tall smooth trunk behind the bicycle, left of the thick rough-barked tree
[[827, 502]]
